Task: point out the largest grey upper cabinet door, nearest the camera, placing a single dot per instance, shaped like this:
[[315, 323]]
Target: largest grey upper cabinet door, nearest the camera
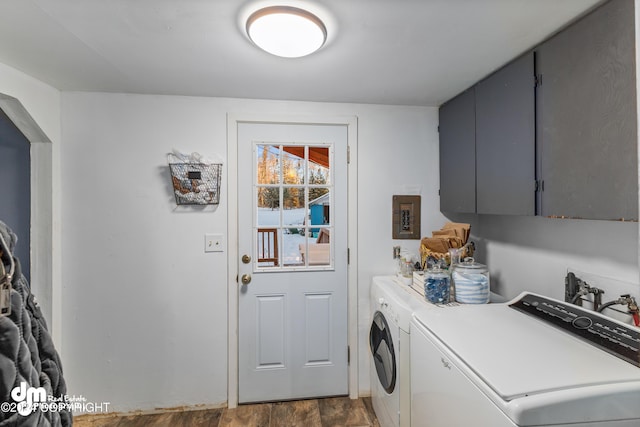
[[587, 117]]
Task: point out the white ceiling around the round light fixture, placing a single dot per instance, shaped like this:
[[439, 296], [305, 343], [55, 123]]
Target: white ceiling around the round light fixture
[[404, 52]]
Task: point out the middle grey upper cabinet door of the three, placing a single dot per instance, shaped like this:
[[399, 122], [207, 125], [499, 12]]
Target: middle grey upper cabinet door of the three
[[505, 140]]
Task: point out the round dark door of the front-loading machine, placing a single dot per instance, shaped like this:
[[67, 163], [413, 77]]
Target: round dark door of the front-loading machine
[[382, 351]]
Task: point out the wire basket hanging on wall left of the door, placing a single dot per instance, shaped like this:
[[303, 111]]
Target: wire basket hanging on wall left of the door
[[195, 183]]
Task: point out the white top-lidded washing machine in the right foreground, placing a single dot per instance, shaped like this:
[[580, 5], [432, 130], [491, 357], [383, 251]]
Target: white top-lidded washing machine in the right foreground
[[533, 361]]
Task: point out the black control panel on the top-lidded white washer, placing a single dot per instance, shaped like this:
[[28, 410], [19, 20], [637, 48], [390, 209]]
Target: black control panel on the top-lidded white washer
[[620, 340]]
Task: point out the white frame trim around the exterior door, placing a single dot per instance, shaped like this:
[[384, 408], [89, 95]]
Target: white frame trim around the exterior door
[[233, 120]]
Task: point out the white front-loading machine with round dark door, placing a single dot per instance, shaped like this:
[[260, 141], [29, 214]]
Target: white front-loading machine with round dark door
[[392, 305]]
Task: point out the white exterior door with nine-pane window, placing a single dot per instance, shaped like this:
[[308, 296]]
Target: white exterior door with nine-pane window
[[292, 251]]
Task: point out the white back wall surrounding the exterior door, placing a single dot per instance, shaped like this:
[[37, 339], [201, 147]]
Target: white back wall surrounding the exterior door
[[145, 315]]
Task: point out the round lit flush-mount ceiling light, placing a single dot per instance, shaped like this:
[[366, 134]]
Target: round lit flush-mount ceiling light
[[286, 31]]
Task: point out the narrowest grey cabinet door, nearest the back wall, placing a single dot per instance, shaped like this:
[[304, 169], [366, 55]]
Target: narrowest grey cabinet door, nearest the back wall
[[457, 154]]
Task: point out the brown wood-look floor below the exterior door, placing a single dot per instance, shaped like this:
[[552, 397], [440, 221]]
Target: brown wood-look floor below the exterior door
[[329, 412]]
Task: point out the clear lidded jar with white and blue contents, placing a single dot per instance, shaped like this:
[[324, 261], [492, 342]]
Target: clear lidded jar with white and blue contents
[[471, 282]]
